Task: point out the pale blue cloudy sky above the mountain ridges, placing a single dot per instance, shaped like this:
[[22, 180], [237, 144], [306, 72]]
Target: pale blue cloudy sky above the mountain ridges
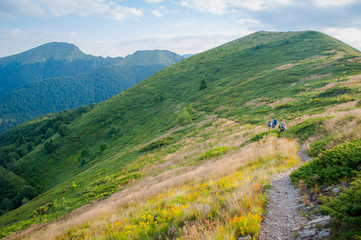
[[120, 27]]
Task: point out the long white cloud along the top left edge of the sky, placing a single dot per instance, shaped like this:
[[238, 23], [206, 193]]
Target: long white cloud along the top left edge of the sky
[[107, 8]]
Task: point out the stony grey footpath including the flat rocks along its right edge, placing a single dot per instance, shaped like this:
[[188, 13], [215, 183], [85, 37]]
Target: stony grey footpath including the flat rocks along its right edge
[[287, 211]]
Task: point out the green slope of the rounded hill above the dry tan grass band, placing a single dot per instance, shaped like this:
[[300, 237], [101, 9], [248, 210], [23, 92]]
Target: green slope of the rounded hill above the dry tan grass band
[[289, 75]]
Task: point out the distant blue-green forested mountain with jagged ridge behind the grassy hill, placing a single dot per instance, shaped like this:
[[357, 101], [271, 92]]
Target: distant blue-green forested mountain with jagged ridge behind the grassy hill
[[58, 76]]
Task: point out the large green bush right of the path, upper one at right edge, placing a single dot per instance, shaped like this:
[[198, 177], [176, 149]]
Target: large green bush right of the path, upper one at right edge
[[342, 161]]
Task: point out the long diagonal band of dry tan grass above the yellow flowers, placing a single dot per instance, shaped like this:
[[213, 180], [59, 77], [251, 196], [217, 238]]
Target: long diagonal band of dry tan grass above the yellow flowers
[[151, 186]]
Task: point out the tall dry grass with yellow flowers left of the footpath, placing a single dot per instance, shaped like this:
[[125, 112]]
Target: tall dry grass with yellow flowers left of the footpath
[[219, 198]]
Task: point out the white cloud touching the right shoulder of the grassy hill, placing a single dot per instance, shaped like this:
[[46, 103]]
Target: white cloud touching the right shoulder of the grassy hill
[[351, 36]]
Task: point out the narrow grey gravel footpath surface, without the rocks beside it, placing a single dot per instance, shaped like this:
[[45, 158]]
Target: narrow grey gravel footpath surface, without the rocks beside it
[[283, 207]]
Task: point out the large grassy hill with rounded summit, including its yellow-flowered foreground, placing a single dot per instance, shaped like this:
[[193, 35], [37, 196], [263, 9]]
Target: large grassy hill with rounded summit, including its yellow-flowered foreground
[[186, 152]]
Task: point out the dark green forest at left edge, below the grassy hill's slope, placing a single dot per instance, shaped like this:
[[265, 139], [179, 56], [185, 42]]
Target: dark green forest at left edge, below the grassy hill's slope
[[19, 141]]
